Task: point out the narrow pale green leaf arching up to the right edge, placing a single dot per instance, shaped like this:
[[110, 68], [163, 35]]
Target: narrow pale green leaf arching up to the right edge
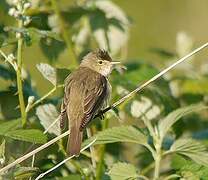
[[166, 123]]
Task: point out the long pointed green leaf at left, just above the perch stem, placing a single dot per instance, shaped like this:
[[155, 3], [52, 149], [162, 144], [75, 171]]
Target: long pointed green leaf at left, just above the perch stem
[[28, 135]]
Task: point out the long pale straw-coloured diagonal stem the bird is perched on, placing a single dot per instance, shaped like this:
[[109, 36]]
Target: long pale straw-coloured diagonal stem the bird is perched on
[[19, 160]]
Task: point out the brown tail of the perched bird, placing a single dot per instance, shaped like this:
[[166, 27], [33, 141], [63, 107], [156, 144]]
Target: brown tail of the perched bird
[[74, 141]]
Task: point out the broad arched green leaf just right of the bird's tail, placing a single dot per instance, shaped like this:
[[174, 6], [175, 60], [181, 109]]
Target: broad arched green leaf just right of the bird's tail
[[119, 134]]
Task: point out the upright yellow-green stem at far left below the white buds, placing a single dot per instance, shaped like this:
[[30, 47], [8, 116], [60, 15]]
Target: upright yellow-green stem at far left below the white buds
[[19, 79]]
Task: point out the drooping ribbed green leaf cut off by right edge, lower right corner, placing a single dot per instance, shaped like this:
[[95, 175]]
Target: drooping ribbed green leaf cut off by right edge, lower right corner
[[192, 149]]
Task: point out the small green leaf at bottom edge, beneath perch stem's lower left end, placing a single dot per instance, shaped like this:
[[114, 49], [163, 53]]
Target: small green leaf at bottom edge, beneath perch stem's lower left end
[[25, 172]]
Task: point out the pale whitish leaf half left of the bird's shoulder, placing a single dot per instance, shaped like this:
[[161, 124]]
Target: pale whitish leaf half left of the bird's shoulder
[[48, 72]]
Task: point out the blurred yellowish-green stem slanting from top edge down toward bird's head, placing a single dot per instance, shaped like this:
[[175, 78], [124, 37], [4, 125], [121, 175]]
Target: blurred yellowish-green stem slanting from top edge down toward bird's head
[[65, 33]]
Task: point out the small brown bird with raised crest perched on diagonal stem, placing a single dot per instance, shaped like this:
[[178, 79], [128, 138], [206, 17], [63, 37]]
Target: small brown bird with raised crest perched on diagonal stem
[[87, 91]]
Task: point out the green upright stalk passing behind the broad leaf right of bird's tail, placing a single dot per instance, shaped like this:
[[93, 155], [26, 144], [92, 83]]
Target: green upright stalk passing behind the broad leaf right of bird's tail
[[99, 170]]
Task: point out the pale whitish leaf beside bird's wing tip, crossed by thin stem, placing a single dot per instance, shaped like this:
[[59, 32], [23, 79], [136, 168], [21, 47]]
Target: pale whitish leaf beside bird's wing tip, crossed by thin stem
[[47, 114]]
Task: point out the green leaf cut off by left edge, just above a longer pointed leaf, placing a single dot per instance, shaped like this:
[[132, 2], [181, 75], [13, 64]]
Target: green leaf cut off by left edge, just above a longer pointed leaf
[[9, 125]]
